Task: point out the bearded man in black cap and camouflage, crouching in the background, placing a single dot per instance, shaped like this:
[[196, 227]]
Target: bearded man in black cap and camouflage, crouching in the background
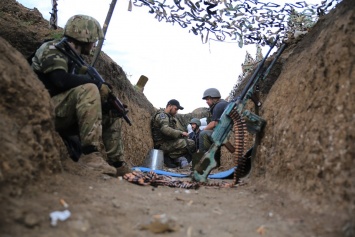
[[172, 141]]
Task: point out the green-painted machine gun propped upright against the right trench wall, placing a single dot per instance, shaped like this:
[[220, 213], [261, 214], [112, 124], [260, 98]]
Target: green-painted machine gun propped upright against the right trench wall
[[224, 127]]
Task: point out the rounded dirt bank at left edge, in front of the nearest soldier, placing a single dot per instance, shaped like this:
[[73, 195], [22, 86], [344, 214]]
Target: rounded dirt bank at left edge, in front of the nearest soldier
[[26, 126]]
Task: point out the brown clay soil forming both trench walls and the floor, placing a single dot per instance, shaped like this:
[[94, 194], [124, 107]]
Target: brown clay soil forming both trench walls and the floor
[[303, 178]]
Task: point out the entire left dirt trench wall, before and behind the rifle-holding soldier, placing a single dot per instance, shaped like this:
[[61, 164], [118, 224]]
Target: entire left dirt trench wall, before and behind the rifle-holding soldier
[[25, 33]]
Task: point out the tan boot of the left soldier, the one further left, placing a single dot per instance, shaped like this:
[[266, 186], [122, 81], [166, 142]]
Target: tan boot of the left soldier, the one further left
[[95, 162]]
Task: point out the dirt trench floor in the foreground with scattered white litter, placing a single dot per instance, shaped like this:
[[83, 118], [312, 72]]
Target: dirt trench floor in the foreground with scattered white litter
[[104, 206]]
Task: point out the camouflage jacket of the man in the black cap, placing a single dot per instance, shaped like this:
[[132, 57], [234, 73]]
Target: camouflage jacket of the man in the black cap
[[164, 127]]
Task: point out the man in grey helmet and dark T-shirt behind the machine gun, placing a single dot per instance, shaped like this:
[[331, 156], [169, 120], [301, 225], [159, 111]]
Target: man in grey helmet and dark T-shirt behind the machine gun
[[217, 106]]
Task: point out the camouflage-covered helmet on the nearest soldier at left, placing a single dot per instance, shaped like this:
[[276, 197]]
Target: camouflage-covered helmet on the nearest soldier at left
[[84, 29]]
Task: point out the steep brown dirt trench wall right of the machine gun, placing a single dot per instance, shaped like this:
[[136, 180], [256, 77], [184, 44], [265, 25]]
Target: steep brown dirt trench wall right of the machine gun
[[308, 143]]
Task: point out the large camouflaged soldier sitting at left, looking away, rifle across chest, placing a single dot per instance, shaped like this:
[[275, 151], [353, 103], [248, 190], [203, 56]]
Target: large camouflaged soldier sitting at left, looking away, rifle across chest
[[78, 99]]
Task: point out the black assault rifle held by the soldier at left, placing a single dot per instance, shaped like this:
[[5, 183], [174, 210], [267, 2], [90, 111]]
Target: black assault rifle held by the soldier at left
[[91, 71]]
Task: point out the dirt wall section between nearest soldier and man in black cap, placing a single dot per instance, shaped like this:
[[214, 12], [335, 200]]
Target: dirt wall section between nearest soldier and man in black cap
[[137, 139]]
